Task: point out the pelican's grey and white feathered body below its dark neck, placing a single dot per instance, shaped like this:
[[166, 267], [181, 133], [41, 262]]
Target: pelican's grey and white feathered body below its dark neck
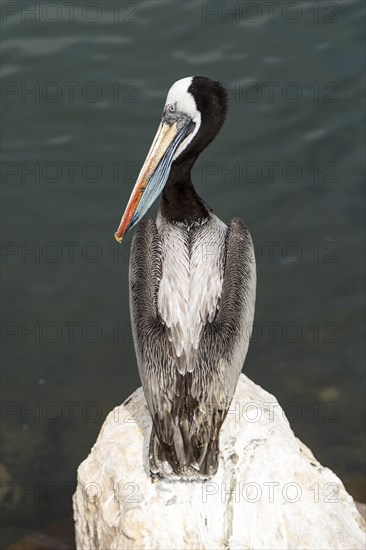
[[192, 295]]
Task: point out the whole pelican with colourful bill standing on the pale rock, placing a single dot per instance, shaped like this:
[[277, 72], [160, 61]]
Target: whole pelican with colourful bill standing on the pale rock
[[192, 289]]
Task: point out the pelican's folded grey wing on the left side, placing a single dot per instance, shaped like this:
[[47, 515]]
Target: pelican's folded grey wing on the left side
[[156, 368]]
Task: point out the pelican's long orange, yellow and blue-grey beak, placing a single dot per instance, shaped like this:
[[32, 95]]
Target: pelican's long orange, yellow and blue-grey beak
[[153, 175]]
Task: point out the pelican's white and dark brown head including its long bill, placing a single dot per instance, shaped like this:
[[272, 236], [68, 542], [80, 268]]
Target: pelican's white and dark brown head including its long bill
[[194, 112]]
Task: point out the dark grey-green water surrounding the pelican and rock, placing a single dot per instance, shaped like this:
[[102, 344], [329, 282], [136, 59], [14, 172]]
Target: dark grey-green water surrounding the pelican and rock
[[81, 101]]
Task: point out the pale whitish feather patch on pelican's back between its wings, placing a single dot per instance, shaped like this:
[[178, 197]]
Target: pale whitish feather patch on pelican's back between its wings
[[191, 283]]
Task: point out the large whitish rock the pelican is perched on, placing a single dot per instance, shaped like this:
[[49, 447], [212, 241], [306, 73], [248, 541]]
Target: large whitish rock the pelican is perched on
[[269, 491]]
